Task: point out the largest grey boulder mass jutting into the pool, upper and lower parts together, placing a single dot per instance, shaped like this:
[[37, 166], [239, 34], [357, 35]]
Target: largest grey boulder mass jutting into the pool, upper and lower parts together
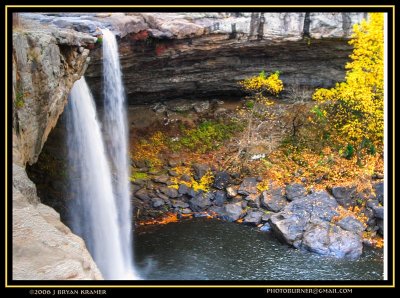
[[306, 223]]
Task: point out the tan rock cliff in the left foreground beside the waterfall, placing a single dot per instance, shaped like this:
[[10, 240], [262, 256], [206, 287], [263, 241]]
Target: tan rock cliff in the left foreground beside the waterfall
[[45, 62]]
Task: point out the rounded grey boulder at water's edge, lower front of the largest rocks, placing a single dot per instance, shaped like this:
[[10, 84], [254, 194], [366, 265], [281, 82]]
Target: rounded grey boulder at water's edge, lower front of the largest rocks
[[325, 239]]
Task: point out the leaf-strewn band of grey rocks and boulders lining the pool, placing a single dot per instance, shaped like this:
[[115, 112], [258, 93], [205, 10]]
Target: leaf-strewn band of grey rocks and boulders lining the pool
[[314, 220]]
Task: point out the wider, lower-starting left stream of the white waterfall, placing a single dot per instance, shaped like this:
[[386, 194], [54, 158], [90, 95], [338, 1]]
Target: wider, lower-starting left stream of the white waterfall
[[93, 214]]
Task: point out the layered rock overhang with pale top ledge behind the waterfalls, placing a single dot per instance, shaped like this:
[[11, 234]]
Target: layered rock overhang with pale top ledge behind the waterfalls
[[204, 55]]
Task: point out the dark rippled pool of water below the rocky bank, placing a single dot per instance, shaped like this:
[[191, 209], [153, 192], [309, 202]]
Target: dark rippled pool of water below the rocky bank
[[203, 249]]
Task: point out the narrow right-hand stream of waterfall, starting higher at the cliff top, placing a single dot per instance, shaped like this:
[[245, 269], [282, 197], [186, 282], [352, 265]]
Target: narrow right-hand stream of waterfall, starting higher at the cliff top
[[115, 130]]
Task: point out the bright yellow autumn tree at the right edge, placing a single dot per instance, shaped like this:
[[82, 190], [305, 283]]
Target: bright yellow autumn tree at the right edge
[[353, 109]]
